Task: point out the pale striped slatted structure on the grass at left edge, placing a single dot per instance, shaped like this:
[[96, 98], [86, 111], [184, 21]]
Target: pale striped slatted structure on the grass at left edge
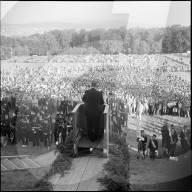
[[17, 162]]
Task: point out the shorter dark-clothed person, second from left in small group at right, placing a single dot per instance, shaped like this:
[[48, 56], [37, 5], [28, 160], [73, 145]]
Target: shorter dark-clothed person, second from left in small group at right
[[153, 147]]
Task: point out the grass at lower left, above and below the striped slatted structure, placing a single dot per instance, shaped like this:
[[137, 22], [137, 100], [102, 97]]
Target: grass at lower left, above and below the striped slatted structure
[[23, 180]]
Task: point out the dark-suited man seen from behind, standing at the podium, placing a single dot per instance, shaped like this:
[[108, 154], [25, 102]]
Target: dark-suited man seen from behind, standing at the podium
[[93, 110]]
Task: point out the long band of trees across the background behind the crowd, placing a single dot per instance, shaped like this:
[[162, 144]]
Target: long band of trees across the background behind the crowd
[[173, 39]]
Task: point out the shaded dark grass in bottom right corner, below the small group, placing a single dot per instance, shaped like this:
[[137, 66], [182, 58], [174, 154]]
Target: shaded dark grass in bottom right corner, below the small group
[[161, 174]]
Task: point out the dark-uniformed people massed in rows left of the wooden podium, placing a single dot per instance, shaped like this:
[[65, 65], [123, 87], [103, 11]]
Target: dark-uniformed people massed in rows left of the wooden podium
[[35, 120]]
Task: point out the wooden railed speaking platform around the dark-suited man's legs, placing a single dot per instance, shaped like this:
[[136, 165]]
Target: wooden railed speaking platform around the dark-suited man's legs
[[80, 134]]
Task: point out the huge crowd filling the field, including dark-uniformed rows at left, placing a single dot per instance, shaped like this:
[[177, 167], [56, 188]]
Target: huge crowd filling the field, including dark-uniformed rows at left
[[36, 103]]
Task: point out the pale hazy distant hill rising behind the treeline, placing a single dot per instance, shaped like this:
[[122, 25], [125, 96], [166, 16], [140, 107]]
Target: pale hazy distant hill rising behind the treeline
[[32, 28]]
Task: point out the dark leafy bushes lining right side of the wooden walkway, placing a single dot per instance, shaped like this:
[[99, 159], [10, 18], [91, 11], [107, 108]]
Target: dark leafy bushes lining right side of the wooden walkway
[[117, 168]]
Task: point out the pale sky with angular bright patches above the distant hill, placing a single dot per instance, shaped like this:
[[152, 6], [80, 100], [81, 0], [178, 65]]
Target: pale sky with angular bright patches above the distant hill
[[159, 13]]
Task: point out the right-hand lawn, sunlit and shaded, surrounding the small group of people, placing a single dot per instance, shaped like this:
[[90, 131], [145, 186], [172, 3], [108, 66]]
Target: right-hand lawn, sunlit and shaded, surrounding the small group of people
[[161, 174]]
